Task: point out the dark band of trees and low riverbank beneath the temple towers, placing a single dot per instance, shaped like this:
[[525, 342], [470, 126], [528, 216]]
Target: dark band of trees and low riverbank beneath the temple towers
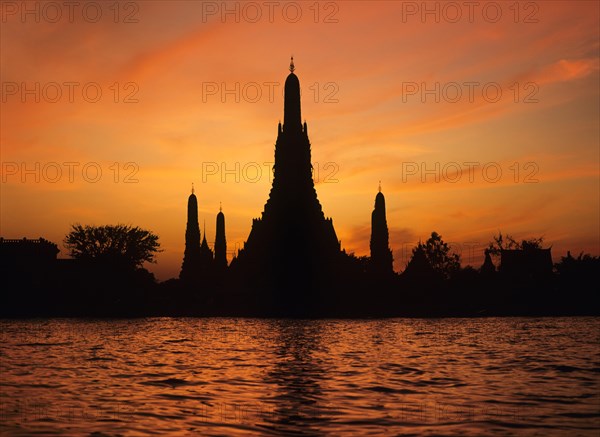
[[106, 278]]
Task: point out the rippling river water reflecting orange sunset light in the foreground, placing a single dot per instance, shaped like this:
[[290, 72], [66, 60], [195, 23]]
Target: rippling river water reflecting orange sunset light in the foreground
[[340, 377]]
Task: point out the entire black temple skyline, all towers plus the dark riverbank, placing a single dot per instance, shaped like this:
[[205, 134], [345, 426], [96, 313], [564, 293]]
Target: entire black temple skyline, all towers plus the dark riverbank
[[292, 265]]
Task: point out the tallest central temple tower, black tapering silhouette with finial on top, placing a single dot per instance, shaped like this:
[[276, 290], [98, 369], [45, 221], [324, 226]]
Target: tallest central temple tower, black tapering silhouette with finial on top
[[292, 246]]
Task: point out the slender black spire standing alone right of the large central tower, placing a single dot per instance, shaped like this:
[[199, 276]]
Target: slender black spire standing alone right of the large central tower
[[381, 255]]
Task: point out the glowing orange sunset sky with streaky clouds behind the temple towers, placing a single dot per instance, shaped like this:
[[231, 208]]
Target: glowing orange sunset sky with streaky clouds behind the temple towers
[[356, 64]]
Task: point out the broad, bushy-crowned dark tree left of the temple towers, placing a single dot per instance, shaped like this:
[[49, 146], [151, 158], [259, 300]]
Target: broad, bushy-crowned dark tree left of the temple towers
[[119, 244]]
